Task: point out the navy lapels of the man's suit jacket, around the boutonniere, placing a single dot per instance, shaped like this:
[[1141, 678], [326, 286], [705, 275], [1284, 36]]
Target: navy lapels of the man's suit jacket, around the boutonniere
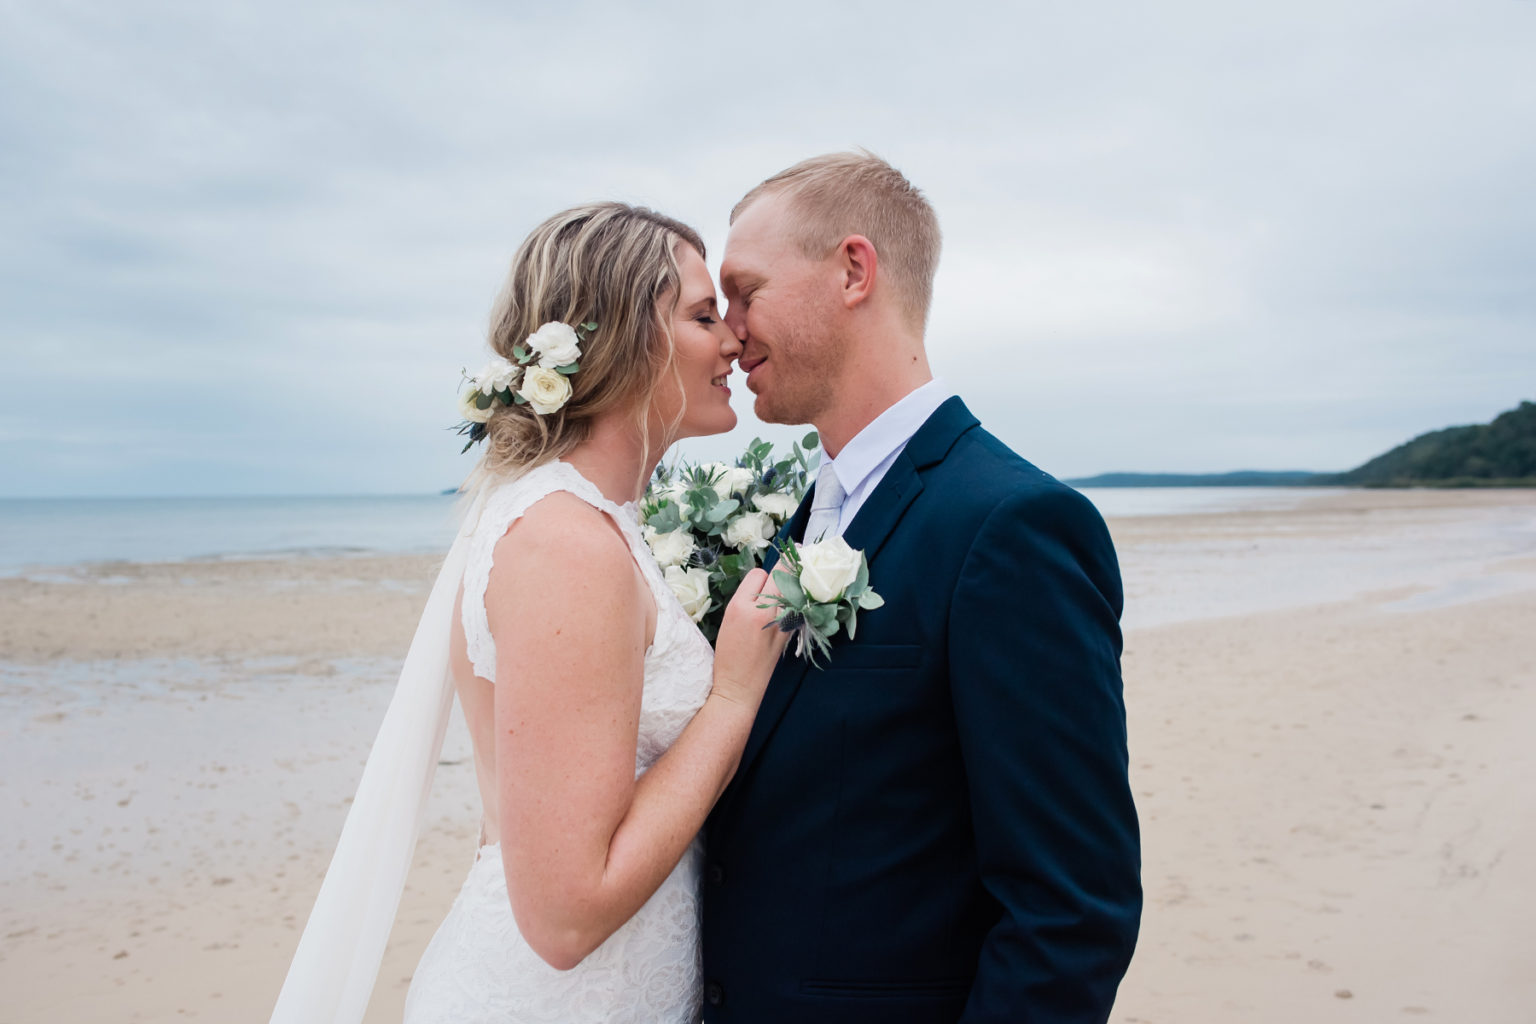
[[869, 533]]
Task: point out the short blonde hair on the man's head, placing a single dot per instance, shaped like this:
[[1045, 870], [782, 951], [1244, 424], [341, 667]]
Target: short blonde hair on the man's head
[[858, 194]]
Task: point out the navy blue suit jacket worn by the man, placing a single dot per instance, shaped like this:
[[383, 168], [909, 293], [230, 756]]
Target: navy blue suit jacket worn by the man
[[938, 824]]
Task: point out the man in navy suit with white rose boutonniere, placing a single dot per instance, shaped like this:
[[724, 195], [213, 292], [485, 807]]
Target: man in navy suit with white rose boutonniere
[[938, 825]]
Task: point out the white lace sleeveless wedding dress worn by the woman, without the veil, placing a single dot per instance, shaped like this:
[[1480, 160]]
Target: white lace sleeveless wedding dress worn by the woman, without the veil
[[478, 966]]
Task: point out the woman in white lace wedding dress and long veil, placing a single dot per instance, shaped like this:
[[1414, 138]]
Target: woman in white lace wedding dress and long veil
[[604, 727]]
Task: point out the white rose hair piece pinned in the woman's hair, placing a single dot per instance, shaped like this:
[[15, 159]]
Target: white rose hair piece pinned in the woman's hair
[[543, 365]]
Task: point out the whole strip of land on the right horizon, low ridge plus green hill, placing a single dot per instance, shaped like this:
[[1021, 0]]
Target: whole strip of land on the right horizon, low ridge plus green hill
[[1500, 454]]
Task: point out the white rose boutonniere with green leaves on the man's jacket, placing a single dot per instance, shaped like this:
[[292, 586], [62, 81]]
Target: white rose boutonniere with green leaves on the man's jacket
[[823, 589]]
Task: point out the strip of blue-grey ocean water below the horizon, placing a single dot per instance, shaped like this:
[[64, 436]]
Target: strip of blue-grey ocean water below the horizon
[[39, 533]]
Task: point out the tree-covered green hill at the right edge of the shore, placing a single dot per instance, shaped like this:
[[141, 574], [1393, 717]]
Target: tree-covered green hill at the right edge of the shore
[[1501, 454]]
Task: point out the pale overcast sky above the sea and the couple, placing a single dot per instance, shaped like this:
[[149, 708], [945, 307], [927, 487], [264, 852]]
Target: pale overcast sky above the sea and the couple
[[248, 248]]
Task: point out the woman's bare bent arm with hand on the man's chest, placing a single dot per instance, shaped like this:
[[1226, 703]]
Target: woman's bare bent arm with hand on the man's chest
[[584, 844]]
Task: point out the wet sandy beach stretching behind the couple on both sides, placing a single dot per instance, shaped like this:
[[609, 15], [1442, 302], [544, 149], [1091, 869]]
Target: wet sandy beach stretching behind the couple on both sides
[[1331, 709]]
